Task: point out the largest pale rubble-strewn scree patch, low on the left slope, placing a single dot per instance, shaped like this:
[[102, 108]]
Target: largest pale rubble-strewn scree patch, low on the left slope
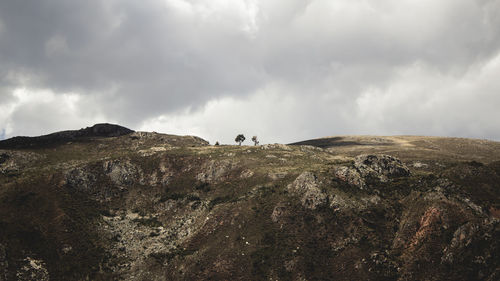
[[140, 242]]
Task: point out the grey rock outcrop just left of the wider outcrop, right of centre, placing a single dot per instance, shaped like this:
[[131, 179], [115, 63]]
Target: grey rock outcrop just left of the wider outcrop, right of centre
[[306, 185]]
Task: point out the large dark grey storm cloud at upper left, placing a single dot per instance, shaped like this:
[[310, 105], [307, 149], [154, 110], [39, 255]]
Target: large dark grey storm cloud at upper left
[[136, 54]]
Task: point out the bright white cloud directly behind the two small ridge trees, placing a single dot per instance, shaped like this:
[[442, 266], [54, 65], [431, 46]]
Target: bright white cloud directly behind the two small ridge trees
[[266, 113]]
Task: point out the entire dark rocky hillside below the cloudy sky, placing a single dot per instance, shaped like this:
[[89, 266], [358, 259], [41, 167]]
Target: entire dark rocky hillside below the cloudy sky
[[124, 205]]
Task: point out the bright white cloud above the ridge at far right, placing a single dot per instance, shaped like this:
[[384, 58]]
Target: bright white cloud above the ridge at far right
[[422, 100]]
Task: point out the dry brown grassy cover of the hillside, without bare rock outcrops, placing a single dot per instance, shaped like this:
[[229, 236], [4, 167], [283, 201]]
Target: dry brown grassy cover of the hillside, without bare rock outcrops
[[234, 236]]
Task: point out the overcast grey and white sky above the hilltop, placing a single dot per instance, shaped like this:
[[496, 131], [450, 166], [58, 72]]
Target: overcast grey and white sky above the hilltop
[[284, 70]]
